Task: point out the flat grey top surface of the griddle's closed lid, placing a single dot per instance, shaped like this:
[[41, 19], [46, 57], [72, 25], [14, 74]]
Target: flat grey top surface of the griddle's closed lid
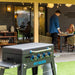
[[28, 46]]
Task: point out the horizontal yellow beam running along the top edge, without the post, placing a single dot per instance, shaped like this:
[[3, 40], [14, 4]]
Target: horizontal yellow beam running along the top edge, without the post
[[42, 1]]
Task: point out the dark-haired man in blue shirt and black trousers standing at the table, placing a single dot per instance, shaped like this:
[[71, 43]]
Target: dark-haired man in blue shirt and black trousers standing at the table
[[54, 27]]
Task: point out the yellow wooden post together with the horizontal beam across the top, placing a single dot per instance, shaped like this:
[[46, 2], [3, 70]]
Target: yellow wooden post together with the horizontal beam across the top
[[36, 25]]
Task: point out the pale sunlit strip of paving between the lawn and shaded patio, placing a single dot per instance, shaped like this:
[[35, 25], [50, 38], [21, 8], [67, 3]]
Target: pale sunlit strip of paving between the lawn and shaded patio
[[65, 57]]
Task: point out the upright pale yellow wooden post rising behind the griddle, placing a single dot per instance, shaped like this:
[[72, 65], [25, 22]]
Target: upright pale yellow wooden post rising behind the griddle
[[36, 23]]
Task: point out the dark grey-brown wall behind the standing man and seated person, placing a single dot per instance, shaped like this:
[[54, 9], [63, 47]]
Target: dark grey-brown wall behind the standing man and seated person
[[67, 17]]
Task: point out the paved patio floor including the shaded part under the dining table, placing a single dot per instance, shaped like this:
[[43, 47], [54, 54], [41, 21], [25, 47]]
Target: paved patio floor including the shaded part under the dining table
[[65, 56]]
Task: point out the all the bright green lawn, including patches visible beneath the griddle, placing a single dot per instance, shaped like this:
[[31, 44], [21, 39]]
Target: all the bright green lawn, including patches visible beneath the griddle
[[63, 68]]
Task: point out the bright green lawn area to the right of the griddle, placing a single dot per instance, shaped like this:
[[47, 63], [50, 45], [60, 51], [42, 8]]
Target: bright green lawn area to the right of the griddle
[[66, 68]]
